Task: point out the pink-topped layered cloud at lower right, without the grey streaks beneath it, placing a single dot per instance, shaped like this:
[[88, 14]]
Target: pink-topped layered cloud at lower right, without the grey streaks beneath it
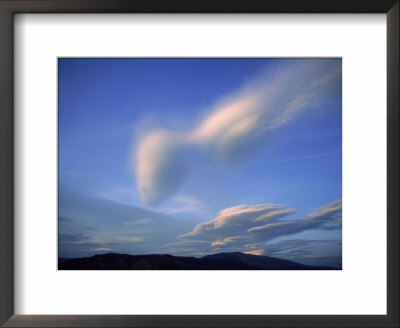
[[246, 226]]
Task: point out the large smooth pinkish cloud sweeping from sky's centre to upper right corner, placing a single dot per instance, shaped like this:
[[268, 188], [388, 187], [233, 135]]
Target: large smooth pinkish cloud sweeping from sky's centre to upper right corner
[[237, 127]]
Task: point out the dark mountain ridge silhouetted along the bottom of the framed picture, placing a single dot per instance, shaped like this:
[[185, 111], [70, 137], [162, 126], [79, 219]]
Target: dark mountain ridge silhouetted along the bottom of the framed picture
[[220, 261]]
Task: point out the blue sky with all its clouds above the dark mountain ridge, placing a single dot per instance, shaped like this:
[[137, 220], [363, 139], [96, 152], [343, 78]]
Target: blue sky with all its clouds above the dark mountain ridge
[[198, 156]]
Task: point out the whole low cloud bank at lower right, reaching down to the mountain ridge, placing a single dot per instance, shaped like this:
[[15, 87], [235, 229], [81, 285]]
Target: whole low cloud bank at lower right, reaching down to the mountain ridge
[[250, 229]]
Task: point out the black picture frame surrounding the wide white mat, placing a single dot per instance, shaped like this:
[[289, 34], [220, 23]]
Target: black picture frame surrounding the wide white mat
[[10, 7]]
